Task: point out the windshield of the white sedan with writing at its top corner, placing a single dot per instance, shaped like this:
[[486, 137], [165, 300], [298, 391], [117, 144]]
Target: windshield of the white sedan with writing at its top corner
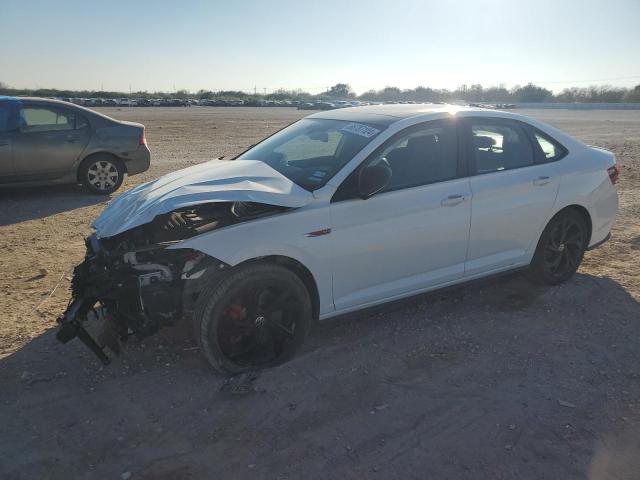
[[312, 150]]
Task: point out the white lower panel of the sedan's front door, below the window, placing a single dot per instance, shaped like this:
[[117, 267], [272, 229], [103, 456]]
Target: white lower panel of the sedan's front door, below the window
[[398, 242]]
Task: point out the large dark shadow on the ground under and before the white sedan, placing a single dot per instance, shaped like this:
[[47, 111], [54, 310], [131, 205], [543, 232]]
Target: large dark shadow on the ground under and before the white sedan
[[502, 378]]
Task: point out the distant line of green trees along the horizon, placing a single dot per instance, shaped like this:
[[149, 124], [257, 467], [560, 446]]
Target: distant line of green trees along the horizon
[[476, 93]]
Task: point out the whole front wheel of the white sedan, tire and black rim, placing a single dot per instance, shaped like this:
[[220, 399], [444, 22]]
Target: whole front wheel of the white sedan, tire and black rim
[[256, 317]]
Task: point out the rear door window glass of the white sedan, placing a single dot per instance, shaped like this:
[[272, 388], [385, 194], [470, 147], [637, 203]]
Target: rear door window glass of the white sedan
[[498, 146]]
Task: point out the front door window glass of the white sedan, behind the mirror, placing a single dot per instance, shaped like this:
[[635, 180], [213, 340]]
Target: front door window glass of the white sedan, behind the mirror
[[422, 155]]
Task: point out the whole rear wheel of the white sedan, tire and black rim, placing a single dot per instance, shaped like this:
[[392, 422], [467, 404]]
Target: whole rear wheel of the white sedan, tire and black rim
[[560, 249]]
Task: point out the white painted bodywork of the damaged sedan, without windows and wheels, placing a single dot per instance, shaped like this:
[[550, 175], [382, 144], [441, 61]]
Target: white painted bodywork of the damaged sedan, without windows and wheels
[[394, 244]]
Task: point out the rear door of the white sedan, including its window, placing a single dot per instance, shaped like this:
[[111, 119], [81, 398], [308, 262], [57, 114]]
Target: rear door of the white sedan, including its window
[[513, 192]]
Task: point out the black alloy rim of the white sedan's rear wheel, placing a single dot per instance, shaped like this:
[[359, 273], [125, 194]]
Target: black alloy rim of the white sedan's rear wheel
[[564, 248]]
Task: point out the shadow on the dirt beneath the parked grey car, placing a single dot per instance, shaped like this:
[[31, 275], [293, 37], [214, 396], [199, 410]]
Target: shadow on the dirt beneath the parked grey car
[[30, 203]]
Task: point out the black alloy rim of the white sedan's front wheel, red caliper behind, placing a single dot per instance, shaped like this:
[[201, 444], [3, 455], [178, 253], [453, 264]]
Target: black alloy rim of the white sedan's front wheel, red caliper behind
[[256, 327]]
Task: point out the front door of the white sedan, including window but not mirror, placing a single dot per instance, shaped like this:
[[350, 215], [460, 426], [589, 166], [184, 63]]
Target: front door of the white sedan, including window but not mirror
[[413, 234]]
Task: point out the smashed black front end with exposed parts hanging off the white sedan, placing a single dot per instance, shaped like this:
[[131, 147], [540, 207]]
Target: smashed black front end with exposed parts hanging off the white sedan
[[130, 292]]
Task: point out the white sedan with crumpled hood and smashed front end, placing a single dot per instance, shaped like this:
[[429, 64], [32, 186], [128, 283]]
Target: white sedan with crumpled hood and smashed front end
[[340, 211]]
